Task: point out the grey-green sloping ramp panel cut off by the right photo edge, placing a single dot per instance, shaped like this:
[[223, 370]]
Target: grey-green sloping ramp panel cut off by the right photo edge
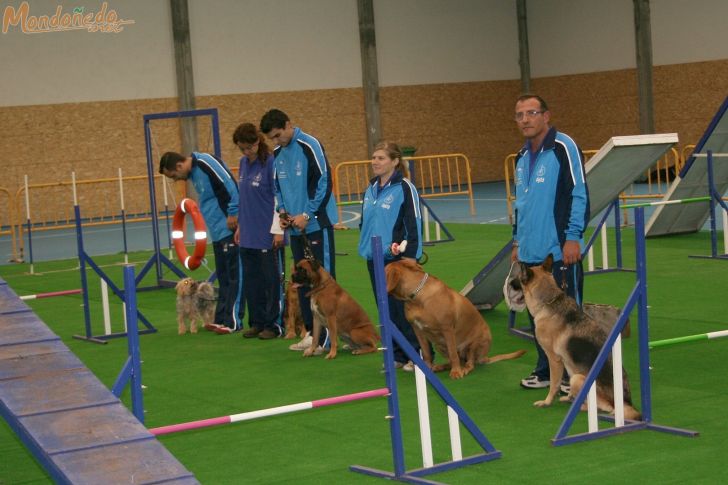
[[693, 182]]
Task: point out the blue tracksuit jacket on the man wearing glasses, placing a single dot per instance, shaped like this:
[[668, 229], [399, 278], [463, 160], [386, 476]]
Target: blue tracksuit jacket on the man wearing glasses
[[552, 199]]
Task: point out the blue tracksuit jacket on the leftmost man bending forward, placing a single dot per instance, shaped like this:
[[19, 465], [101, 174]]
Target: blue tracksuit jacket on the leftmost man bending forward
[[217, 193]]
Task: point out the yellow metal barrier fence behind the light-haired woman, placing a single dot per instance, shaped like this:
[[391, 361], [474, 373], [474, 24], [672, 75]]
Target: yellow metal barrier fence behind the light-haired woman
[[433, 175]]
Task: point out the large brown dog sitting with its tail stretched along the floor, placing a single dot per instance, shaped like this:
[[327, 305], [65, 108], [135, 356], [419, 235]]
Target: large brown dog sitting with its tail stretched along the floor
[[444, 317]]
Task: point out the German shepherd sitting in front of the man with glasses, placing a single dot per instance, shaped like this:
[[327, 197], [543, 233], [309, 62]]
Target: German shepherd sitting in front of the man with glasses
[[569, 337]]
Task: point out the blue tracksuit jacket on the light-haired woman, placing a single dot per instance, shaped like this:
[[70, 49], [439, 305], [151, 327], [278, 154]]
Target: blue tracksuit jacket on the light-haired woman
[[393, 213]]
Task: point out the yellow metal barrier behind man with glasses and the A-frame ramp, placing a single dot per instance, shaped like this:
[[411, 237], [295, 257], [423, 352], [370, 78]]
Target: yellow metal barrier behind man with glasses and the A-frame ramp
[[657, 179]]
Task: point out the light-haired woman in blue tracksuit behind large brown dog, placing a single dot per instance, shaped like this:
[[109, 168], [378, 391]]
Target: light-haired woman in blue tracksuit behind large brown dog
[[391, 210]]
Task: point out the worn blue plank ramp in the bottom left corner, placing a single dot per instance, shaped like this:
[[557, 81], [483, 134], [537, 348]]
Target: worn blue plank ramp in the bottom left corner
[[74, 426]]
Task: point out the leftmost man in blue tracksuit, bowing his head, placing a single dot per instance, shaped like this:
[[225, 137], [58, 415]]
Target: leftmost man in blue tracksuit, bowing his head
[[217, 197]]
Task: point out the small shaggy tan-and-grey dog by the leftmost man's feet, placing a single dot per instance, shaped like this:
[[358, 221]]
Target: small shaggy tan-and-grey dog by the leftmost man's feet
[[196, 300]]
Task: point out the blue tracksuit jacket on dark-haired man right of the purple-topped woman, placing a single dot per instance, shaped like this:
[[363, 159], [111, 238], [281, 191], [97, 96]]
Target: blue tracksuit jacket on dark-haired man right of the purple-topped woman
[[303, 181]]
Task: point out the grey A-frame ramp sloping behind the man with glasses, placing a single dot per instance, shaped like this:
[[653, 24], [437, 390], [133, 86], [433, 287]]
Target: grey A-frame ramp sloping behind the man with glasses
[[608, 173]]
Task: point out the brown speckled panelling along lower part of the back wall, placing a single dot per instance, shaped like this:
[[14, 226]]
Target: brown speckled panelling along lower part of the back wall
[[474, 118]]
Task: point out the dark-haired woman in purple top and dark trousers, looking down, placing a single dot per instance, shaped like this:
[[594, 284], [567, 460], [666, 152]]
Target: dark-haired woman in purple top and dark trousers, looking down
[[259, 235]]
